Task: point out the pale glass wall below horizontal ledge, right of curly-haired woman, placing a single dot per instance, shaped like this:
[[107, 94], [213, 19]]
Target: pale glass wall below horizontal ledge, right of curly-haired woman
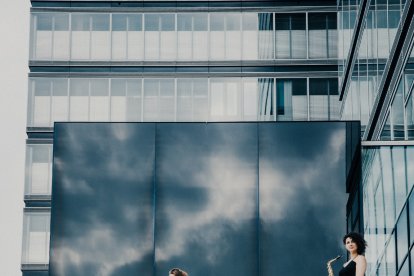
[[388, 179]]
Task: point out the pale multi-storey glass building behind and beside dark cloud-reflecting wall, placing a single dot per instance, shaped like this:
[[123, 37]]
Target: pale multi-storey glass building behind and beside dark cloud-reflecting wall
[[230, 61]]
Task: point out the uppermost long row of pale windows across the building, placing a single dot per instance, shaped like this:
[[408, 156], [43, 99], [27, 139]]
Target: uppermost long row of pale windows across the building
[[182, 36]]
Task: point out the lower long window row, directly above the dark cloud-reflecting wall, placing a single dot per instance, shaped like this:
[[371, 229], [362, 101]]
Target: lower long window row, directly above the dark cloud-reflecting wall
[[181, 99]]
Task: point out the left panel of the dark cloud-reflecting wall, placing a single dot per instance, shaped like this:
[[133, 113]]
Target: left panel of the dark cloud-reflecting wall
[[94, 231]]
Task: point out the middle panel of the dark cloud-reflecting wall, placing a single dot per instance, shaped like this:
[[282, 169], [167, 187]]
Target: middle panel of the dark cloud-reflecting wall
[[206, 209]]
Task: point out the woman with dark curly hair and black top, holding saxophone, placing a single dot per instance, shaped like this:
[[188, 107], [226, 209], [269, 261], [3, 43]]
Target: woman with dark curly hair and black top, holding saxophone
[[356, 265]]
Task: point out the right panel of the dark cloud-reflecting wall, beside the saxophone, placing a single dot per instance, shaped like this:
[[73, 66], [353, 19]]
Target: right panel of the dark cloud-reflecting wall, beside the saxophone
[[302, 197]]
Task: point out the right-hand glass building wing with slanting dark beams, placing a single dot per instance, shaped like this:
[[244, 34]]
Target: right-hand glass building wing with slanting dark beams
[[376, 83]]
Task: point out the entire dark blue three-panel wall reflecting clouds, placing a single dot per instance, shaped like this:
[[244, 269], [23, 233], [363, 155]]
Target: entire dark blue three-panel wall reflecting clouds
[[216, 198]]
